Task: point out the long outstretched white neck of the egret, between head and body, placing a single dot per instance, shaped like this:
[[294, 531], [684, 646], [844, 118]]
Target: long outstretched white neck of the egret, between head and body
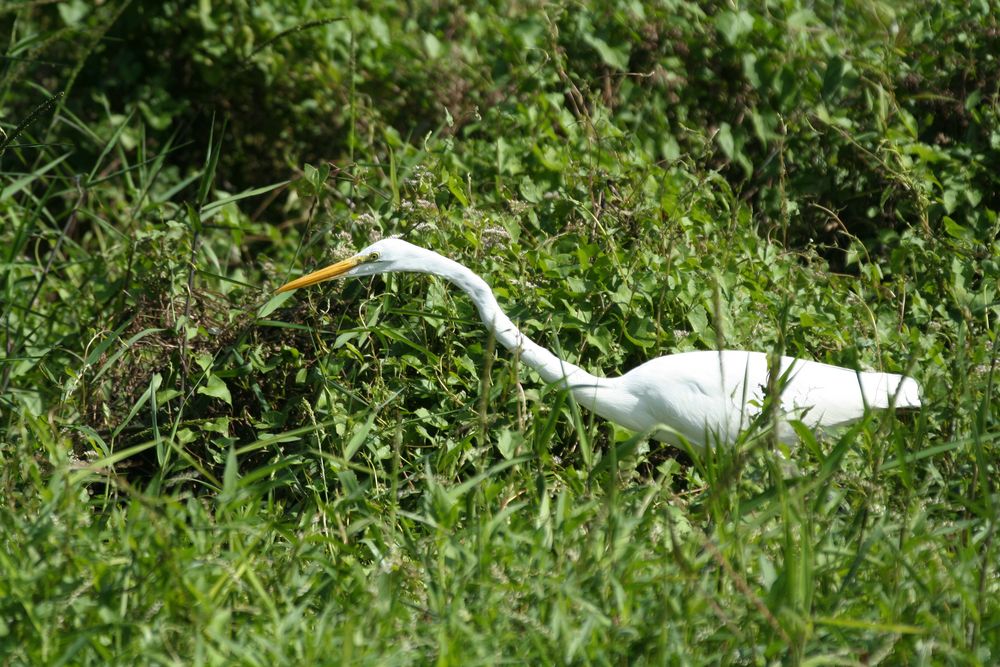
[[548, 365]]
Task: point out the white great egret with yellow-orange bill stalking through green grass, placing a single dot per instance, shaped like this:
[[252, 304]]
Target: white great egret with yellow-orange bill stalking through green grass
[[704, 397]]
